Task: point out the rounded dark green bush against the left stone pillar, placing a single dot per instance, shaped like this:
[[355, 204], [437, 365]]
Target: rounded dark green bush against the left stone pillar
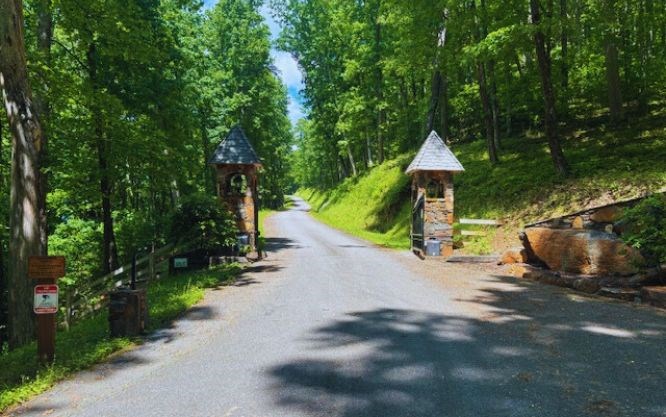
[[204, 222]]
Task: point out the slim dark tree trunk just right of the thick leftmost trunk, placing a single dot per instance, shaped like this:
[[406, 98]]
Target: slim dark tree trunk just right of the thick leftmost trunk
[[44, 43]]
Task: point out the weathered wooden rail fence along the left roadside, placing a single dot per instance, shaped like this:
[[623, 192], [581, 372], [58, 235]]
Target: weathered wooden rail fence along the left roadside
[[89, 297]]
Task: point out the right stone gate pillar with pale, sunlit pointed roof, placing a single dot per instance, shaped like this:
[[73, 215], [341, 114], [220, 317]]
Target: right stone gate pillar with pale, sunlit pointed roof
[[432, 197]]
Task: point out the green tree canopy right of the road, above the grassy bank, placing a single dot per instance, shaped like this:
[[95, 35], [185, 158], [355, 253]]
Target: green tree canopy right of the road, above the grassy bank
[[371, 68]]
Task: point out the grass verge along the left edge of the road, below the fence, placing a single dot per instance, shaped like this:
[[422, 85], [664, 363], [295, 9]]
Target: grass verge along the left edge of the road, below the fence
[[88, 342]]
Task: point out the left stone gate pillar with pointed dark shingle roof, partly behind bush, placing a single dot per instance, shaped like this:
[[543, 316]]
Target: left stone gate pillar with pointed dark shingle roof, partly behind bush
[[237, 166]]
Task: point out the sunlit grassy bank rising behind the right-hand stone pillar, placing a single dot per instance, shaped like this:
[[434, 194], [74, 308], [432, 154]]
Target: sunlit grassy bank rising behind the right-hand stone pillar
[[607, 165]]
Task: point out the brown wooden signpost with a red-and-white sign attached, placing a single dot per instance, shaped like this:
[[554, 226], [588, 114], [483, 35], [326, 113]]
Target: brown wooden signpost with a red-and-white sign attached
[[46, 270]]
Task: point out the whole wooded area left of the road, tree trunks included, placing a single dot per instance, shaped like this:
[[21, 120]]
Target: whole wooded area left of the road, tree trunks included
[[132, 99]]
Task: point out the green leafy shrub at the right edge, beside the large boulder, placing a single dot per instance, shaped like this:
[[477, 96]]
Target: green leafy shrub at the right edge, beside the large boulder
[[646, 228]]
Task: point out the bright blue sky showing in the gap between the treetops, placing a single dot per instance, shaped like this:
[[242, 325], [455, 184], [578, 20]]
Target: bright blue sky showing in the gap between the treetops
[[288, 69]]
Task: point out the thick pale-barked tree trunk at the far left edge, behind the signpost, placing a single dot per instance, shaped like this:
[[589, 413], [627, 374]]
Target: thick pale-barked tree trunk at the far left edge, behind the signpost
[[24, 125]]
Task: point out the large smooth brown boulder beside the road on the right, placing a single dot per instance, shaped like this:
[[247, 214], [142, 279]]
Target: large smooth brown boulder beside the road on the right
[[589, 252]]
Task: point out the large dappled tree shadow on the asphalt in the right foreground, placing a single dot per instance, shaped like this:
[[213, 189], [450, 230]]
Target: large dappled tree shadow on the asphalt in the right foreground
[[531, 355]]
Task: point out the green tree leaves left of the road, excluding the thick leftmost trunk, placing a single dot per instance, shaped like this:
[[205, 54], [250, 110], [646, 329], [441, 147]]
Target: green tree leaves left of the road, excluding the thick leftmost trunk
[[137, 94]]
